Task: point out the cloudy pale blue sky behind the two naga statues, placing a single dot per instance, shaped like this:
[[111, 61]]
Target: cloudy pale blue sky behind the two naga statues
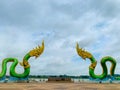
[[94, 24]]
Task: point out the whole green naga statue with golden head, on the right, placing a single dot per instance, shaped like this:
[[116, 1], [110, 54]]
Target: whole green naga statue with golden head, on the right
[[84, 54]]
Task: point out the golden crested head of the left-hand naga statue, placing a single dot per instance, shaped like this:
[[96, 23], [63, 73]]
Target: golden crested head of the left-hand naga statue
[[37, 51]]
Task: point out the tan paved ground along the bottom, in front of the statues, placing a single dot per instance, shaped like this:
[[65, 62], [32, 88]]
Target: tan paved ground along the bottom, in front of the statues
[[58, 86]]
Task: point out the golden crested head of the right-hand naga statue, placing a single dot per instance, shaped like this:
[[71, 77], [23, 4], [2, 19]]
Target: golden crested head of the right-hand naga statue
[[84, 54]]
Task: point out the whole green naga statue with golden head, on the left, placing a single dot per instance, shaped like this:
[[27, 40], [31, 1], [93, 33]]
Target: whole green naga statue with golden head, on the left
[[35, 52]]
